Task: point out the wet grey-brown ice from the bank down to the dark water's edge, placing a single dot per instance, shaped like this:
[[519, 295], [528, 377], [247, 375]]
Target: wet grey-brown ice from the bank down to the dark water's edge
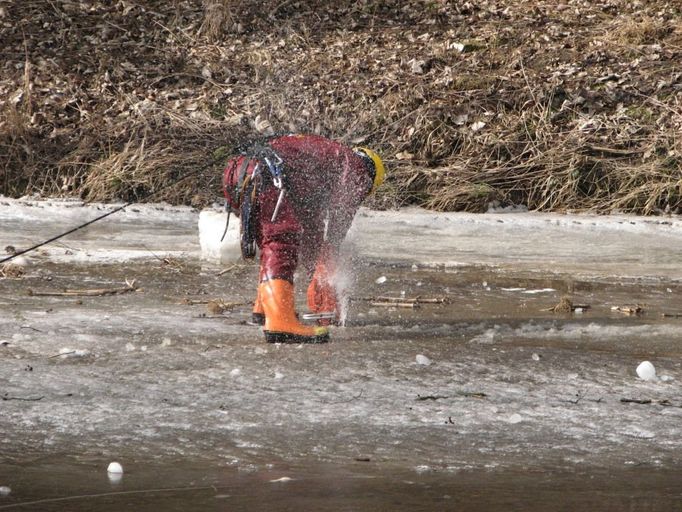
[[234, 399]]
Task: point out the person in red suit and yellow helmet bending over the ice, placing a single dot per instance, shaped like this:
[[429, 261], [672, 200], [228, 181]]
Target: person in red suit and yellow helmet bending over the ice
[[296, 196]]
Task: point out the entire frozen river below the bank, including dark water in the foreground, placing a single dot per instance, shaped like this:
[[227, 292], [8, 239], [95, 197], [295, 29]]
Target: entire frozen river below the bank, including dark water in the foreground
[[446, 406]]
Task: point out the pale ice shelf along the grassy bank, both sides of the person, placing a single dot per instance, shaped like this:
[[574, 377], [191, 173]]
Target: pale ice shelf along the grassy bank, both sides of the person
[[586, 245]]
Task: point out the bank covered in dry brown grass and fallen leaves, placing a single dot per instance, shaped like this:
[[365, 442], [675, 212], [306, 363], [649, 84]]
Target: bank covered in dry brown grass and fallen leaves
[[467, 105]]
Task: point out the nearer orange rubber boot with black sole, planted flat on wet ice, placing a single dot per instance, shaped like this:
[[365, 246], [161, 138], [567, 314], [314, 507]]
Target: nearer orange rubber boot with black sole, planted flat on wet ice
[[281, 324]]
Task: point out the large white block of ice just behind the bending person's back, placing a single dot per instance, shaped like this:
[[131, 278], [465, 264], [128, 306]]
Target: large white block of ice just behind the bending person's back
[[211, 228]]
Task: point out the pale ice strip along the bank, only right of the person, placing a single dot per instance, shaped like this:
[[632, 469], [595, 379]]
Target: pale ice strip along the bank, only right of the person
[[586, 245]]
